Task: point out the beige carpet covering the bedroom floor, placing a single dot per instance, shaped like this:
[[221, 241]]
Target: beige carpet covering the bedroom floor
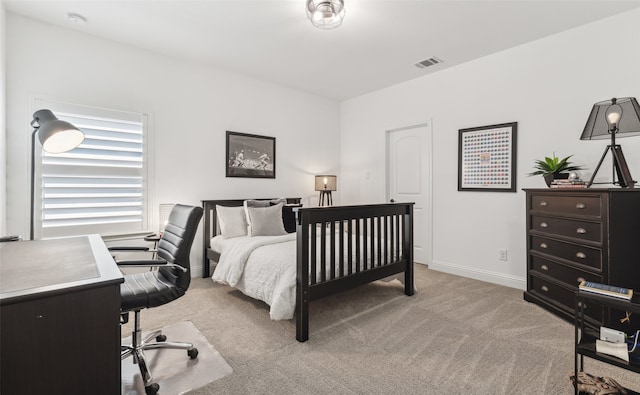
[[454, 336]]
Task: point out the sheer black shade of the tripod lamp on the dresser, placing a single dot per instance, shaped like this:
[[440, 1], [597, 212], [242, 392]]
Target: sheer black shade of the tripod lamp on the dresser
[[598, 127]]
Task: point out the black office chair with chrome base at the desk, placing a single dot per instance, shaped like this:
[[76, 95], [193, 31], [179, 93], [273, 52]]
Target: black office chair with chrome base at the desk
[[157, 287]]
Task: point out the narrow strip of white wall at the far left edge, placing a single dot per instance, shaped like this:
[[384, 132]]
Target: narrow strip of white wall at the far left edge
[[3, 126]]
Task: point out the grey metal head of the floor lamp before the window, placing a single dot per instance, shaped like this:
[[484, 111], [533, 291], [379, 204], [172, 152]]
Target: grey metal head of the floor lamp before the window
[[56, 136]]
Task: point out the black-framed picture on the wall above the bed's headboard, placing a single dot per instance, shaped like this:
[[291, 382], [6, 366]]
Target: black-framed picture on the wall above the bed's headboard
[[250, 155]]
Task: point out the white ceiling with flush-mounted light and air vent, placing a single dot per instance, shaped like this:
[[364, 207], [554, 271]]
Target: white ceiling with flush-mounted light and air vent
[[272, 40]]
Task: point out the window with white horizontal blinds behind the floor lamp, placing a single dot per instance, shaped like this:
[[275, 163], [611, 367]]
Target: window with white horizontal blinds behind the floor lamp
[[100, 186]]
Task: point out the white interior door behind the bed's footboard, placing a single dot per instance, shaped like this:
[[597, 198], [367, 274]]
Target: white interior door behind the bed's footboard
[[409, 180]]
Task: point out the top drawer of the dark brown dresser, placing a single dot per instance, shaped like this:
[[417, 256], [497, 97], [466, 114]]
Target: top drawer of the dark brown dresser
[[570, 205]]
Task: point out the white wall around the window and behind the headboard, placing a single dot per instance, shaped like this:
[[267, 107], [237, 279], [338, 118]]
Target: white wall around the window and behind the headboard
[[190, 108]]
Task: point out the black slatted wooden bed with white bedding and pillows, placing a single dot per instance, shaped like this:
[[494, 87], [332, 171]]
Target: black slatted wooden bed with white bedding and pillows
[[309, 254]]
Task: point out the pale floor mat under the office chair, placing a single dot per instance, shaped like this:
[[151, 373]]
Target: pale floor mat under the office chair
[[173, 370]]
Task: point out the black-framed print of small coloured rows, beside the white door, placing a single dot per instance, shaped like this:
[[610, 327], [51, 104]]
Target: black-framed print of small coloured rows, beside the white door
[[487, 158]]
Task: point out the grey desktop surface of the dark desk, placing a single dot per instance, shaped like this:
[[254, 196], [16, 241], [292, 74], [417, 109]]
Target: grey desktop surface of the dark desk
[[29, 269]]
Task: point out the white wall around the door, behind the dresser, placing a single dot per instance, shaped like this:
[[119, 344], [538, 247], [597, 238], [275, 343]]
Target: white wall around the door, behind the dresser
[[547, 86]]
